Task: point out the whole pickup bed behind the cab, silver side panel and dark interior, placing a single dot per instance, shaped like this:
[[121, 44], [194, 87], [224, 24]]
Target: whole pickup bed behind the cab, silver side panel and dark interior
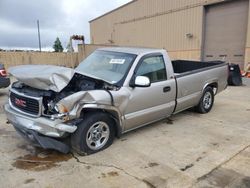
[[192, 77]]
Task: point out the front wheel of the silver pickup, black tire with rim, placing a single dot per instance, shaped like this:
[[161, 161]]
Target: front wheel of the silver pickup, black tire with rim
[[88, 129]]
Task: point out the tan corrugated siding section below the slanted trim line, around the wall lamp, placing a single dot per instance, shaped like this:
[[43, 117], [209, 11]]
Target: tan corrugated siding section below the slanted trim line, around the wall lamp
[[166, 31]]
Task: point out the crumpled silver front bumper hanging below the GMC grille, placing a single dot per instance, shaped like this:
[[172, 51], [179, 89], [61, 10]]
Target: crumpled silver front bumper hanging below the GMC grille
[[40, 131]]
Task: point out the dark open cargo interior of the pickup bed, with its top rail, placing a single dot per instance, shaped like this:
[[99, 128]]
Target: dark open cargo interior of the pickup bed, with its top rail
[[184, 67]]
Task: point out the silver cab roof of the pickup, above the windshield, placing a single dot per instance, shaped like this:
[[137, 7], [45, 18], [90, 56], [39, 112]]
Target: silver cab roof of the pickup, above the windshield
[[131, 50]]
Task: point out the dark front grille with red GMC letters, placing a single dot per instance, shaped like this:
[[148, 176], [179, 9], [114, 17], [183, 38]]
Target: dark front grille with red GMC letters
[[25, 104]]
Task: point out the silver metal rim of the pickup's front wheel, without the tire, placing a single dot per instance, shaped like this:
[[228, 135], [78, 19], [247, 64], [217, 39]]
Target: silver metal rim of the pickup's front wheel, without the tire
[[97, 135]]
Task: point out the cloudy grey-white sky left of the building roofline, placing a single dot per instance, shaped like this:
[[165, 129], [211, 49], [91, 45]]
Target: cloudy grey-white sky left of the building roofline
[[18, 20]]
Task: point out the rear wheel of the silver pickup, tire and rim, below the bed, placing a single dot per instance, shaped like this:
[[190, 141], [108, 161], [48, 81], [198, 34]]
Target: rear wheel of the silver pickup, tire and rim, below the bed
[[206, 101]]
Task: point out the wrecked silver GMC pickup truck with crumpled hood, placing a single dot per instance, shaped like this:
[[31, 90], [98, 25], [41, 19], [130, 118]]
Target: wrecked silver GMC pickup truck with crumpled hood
[[112, 91]]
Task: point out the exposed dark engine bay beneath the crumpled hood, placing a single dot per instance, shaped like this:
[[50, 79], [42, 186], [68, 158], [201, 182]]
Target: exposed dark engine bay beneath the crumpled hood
[[50, 98]]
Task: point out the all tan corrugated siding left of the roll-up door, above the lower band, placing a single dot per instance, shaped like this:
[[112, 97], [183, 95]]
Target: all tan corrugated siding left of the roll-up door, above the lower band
[[167, 20]]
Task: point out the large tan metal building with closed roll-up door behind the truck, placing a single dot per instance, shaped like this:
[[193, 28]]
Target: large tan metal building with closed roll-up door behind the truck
[[187, 29]]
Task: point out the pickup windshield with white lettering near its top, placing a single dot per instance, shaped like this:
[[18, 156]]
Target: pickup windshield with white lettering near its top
[[105, 65]]
